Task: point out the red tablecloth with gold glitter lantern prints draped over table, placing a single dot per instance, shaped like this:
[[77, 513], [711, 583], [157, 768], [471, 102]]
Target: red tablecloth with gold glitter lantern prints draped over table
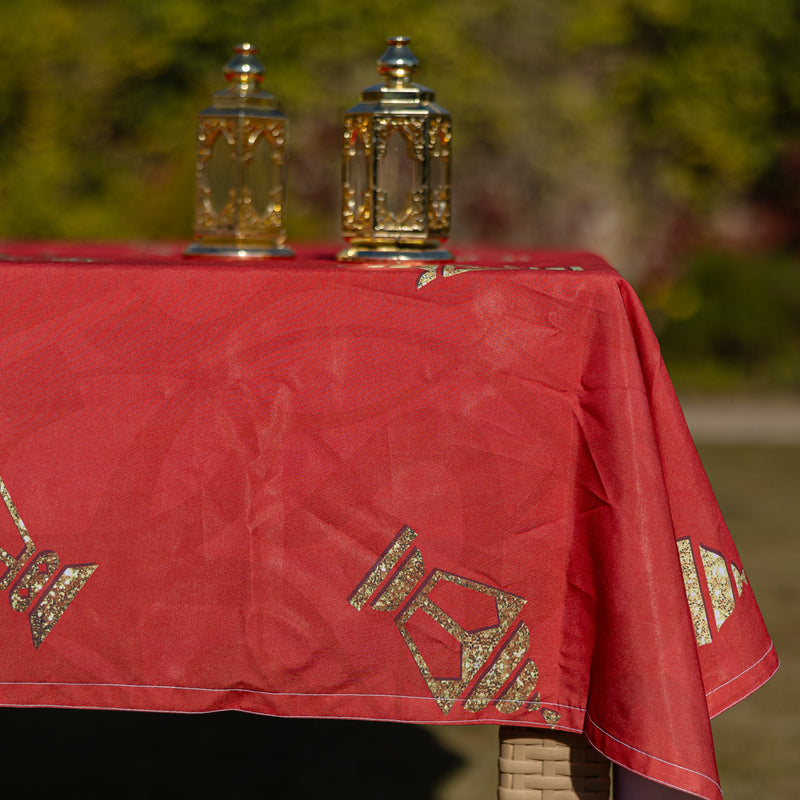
[[457, 493]]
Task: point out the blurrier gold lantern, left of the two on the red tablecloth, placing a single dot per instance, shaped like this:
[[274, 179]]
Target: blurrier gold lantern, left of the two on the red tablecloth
[[241, 167]]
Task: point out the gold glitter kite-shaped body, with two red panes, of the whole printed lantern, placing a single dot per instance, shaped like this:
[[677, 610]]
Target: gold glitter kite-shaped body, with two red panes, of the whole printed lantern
[[476, 646]]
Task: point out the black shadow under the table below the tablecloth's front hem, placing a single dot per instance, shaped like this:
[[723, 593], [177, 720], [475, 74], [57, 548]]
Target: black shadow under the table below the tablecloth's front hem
[[120, 754]]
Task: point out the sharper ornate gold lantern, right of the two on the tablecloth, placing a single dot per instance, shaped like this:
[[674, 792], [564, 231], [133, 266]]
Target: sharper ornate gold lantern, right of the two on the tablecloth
[[396, 167]]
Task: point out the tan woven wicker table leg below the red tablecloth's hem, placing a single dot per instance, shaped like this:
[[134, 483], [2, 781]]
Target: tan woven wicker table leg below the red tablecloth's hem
[[550, 765]]
